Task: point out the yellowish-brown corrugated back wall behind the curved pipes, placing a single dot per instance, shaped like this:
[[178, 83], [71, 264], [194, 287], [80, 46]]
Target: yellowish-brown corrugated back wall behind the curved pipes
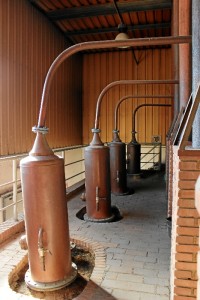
[[104, 68]]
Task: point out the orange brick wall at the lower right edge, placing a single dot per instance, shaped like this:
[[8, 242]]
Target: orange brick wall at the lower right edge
[[186, 227]]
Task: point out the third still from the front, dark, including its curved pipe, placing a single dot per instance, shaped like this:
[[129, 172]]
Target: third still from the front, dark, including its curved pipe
[[118, 151]]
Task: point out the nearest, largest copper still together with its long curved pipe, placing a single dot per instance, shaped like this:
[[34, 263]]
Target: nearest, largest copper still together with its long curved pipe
[[46, 219]]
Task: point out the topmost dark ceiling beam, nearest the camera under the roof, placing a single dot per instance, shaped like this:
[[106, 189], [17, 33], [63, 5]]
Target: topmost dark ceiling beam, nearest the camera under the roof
[[90, 11]]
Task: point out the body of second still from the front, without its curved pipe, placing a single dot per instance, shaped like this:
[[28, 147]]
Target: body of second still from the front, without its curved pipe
[[97, 181]]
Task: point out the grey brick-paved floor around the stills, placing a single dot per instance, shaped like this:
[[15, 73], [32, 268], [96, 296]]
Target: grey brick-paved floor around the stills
[[132, 255]]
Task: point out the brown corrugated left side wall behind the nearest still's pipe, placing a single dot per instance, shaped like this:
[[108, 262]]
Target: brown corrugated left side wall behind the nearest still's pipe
[[28, 46]]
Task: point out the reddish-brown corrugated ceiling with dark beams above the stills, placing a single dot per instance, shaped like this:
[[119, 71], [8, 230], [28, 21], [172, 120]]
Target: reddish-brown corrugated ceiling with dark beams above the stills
[[93, 20]]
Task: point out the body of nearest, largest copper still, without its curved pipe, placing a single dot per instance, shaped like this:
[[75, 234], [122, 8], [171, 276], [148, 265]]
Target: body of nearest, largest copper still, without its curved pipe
[[46, 218]]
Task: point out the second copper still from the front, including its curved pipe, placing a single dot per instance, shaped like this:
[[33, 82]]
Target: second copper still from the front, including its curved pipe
[[97, 164]]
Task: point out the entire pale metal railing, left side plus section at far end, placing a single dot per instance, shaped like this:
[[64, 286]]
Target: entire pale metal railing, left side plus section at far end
[[10, 191]]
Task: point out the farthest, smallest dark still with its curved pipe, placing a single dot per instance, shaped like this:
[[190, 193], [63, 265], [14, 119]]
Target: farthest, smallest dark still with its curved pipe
[[134, 148]]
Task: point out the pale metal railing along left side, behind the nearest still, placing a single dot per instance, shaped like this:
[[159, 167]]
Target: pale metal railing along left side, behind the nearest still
[[10, 190]]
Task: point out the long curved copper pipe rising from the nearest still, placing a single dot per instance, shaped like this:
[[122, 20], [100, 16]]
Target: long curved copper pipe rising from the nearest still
[[98, 45]]
